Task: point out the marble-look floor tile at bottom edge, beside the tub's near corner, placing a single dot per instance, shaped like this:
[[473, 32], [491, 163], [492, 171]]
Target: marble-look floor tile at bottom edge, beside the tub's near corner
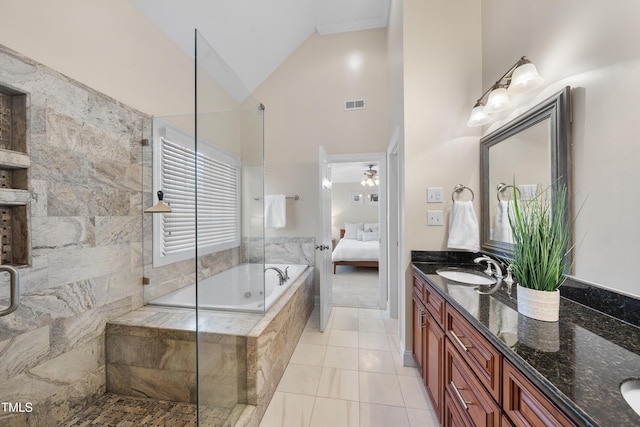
[[288, 410]]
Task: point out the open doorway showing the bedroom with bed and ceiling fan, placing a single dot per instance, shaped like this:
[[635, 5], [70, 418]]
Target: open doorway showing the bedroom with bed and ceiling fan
[[358, 260]]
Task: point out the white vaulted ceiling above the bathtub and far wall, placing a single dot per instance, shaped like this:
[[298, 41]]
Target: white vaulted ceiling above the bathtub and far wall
[[255, 37]]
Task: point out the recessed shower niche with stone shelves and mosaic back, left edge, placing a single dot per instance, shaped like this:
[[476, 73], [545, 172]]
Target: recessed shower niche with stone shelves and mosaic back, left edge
[[14, 178]]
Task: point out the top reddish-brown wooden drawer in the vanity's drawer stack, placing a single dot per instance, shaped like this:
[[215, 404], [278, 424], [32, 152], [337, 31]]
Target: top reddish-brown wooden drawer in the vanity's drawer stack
[[483, 359]]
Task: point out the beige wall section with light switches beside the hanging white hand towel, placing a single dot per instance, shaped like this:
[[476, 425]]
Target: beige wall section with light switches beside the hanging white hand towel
[[442, 75]]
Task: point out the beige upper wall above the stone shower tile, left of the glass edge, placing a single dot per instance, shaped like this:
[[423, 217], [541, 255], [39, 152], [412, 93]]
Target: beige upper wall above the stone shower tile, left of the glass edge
[[81, 39]]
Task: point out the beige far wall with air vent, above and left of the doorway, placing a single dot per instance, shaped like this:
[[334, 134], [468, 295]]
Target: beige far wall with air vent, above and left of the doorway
[[304, 109]]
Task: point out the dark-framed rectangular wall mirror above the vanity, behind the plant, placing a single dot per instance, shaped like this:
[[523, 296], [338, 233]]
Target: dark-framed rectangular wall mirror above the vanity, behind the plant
[[531, 151]]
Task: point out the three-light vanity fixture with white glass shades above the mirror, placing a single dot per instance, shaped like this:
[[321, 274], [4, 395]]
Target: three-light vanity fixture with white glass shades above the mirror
[[522, 77]]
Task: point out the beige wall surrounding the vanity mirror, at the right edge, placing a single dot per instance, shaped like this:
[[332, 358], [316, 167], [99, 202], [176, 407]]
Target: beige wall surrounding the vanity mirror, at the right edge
[[595, 48]]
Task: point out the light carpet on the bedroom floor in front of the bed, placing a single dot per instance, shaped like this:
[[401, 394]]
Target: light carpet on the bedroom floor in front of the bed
[[355, 287]]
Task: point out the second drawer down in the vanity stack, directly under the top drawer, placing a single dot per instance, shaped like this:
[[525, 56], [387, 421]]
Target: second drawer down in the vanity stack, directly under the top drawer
[[467, 394]]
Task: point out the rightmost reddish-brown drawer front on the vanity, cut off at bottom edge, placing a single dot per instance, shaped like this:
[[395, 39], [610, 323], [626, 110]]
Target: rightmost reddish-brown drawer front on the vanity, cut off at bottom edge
[[526, 405]]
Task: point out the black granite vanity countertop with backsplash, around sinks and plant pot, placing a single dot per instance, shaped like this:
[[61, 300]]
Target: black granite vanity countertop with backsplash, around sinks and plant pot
[[579, 361]]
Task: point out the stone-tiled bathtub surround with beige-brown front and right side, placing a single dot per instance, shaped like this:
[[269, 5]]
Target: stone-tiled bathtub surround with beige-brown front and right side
[[151, 351]]
